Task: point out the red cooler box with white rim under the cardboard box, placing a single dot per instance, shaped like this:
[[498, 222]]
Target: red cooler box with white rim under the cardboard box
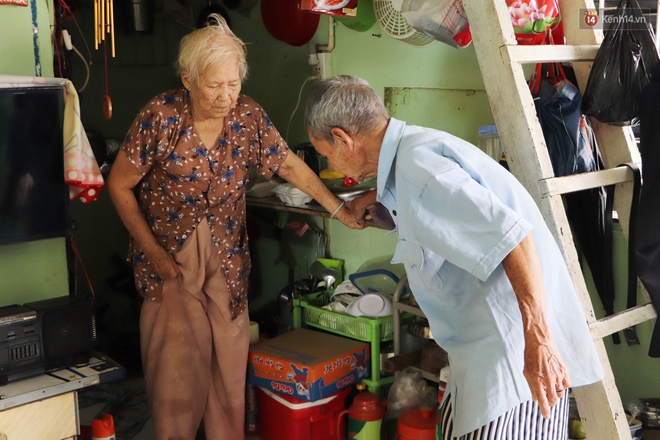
[[282, 417]]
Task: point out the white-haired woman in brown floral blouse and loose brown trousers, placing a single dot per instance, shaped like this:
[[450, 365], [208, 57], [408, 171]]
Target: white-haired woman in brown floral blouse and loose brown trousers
[[179, 184]]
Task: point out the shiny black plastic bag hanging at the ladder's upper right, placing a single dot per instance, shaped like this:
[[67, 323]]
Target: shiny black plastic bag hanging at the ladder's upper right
[[622, 68]]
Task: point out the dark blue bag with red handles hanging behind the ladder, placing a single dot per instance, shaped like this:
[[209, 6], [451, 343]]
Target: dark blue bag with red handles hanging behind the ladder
[[558, 108]]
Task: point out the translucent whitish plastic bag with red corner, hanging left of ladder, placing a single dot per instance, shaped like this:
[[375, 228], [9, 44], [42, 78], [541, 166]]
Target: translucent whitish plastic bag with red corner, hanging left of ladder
[[442, 20]]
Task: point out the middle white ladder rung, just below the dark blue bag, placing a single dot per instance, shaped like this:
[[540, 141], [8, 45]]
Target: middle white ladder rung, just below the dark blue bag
[[577, 182]]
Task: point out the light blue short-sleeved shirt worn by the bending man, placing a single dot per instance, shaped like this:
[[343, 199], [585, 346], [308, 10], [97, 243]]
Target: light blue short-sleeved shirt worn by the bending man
[[458, 213]]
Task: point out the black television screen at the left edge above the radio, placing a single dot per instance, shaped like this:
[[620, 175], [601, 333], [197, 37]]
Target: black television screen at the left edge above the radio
[[34, 199]]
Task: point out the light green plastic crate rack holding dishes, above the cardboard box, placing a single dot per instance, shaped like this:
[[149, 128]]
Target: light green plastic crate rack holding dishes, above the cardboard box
[[308, 310]]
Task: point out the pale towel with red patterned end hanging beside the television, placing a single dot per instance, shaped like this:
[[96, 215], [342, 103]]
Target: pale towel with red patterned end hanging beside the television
[[81, 171]]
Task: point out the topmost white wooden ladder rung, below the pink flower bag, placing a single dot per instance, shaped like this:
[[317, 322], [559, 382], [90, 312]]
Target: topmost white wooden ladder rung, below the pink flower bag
[[549, 53]]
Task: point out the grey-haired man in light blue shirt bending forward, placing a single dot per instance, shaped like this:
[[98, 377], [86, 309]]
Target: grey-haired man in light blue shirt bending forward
[[480, 261]]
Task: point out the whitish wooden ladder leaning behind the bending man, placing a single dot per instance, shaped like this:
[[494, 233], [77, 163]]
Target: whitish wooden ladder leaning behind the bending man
[[501, 62]]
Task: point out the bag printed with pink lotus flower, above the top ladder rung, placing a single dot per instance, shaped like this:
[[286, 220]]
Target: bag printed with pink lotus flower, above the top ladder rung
[[532, 18]]
